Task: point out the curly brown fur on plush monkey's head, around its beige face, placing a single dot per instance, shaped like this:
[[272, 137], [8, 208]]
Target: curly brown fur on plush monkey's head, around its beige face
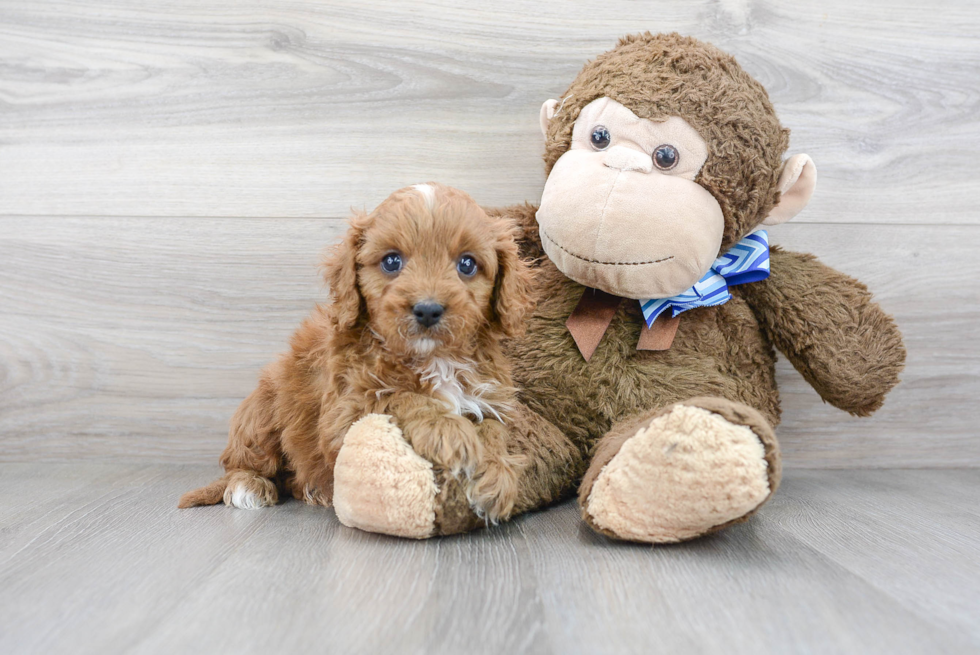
[[664, 75]]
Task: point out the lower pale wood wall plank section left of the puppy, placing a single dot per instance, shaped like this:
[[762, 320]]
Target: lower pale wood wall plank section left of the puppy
[[139, 336]]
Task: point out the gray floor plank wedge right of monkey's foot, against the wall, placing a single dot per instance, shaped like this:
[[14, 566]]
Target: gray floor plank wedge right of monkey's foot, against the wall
[[876, 523]]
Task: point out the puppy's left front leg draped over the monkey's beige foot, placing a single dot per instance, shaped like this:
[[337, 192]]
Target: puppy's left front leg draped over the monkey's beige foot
[[446, 439]]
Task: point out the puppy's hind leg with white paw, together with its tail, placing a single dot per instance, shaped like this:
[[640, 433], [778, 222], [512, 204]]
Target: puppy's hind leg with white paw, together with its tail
[[252, 458]]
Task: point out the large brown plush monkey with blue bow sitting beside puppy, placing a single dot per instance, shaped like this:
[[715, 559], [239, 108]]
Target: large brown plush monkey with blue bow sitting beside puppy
[[664, 159]]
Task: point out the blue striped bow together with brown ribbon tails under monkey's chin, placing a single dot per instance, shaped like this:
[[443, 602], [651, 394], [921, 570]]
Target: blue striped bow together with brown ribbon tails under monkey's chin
[[747, 261]]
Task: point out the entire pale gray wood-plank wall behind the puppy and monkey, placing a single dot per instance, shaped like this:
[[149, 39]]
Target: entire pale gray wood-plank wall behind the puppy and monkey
[[170, 171]]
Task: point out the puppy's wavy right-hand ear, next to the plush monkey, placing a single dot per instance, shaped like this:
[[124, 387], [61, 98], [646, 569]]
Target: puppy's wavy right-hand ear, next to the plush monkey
[[512, 288]]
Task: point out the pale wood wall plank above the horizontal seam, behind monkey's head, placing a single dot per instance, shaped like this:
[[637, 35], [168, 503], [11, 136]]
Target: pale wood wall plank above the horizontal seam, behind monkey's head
[[304, 108]]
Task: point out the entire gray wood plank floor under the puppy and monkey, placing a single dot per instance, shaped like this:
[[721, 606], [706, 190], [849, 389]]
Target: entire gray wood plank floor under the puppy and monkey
[[96, 558]]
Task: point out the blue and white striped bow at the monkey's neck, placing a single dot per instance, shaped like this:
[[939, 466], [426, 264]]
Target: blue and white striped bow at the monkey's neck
[[747, 261]]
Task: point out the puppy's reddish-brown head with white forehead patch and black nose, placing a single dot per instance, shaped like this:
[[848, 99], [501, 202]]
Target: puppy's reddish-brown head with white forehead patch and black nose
[[428, 271]]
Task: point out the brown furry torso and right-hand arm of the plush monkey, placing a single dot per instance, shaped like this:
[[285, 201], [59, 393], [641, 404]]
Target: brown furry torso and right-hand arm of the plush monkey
[[824, 321]]
